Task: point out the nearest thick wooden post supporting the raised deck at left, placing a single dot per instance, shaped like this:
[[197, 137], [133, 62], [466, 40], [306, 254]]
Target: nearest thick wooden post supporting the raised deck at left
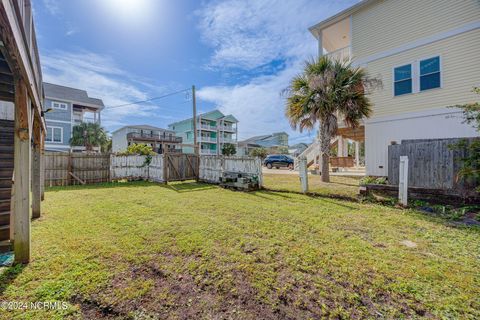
[[21, 187]]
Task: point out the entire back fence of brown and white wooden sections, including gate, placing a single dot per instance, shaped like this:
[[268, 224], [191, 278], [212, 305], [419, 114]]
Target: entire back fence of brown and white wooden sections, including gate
[[63, 169]]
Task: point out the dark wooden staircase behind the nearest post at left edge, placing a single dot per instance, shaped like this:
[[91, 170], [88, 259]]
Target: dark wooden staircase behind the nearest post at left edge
[[6, 175]]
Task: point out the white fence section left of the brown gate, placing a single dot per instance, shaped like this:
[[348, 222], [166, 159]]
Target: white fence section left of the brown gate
[[134, 168]]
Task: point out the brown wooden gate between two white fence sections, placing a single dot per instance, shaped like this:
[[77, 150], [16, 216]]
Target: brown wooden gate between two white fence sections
[[180, 167]]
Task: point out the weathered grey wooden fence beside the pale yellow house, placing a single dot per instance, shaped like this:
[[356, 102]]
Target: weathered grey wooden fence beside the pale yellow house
[[433, 164]]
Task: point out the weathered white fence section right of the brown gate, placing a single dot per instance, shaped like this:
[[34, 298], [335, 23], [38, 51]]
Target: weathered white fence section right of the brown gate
[[212, 167]]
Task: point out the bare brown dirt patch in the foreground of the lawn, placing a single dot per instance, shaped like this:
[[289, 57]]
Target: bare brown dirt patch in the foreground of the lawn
[[183, 295]]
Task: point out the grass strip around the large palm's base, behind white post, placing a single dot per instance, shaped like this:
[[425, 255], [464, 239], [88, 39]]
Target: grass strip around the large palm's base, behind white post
[[339, 186]]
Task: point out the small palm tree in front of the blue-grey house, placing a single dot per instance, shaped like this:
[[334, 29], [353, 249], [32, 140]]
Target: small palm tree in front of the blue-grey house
[[88, 135]]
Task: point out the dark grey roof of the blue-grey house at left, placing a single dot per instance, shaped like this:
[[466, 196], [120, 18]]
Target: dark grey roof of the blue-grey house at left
[[76, 96]]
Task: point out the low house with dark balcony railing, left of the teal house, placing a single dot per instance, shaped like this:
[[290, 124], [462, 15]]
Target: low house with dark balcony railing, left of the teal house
[[159, 139]]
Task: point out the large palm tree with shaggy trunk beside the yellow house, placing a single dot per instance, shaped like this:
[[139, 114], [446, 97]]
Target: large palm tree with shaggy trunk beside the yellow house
[[328, 91]]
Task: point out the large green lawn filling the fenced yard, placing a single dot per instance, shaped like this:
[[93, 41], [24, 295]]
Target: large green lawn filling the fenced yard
[[198, 251]]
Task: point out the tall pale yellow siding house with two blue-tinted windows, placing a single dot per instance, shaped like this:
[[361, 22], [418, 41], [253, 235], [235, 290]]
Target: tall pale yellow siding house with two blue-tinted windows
[[427, 54]]
